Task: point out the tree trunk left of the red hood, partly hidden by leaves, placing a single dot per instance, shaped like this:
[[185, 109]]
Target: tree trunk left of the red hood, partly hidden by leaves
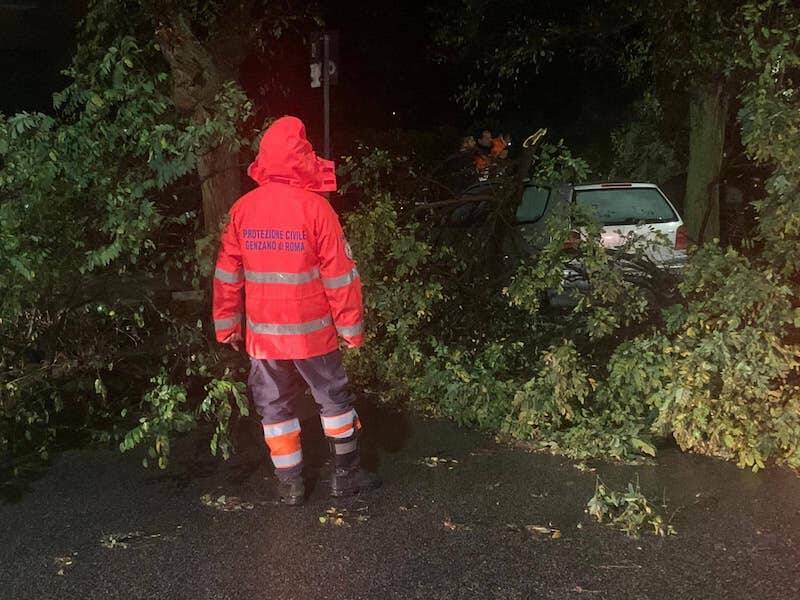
[[196, 80]]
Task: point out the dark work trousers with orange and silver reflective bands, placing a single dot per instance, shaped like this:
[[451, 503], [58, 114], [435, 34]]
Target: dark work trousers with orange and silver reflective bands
[[277, 386]]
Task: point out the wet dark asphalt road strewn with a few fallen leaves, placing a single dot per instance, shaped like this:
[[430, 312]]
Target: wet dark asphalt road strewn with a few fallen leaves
[[95, 524]]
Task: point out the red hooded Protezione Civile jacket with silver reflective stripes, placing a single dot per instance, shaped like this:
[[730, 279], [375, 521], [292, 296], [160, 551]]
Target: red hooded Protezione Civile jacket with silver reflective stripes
[[285, 247]]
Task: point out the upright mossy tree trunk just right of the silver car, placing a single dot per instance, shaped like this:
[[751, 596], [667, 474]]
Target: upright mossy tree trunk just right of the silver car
[[708, 114]]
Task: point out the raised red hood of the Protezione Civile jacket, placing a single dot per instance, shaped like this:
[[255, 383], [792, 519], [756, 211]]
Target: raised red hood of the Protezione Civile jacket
[[286, 156]]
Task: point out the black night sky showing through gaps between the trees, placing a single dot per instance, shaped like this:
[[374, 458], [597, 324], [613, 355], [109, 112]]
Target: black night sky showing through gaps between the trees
[[387, 76]]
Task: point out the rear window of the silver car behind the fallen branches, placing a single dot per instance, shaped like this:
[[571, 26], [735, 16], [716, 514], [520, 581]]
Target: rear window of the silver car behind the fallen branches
[[626, 206]]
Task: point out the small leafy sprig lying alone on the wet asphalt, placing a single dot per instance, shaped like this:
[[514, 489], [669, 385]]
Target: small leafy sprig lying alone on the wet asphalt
[[627, 510]]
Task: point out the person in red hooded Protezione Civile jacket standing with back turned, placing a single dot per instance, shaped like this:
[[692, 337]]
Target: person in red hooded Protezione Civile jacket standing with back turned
[[284, 247]]
